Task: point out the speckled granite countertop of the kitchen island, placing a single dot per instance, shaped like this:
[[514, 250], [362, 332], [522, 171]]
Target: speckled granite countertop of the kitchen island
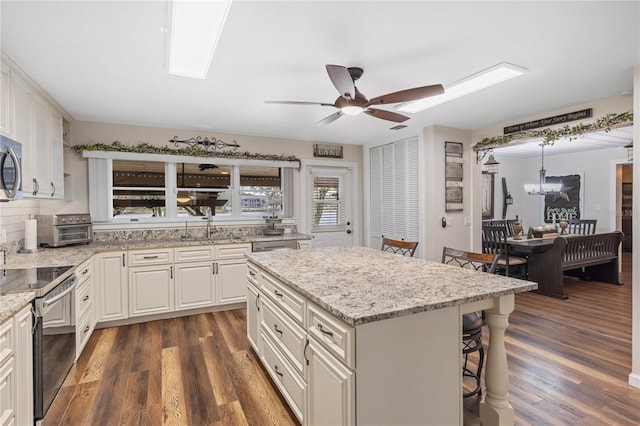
[[361, 285]]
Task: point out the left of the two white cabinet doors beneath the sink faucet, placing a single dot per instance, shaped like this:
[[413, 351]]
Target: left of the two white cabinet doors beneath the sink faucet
[[194, 285]]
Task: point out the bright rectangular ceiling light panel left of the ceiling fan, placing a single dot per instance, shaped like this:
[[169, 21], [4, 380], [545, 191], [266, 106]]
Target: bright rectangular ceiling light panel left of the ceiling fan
[[196, 27]]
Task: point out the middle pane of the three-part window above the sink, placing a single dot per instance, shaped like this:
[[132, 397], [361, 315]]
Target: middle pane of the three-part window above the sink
[[202, 187]]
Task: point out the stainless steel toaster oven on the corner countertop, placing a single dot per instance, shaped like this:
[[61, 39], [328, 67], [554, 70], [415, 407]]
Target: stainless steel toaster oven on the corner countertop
[[59, 230]]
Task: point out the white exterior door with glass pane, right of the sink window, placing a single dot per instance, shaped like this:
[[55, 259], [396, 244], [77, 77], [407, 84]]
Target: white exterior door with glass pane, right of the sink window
[[329, 206]]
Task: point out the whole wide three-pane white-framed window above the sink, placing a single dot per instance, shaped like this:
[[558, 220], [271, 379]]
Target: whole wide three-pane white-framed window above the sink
[[156, 191]]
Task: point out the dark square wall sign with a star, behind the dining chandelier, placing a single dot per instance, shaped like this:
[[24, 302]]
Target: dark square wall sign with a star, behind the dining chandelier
[[566, 203]]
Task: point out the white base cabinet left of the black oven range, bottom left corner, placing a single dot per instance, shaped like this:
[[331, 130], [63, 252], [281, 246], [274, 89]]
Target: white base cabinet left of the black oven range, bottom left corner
[[16, 369]]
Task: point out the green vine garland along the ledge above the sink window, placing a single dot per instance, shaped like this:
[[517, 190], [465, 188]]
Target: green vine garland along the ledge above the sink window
[[192, 151]]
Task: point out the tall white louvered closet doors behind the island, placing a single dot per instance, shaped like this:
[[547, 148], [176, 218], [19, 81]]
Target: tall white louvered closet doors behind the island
[[394, 206]]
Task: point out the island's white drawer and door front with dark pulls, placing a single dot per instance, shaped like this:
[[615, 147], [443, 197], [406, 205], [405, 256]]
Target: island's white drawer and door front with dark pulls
[[309, 353]]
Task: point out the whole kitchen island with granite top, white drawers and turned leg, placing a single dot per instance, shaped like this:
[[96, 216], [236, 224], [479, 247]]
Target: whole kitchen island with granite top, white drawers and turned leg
[[357, 336]]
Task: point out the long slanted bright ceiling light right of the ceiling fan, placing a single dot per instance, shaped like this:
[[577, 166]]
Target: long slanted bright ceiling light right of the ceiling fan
[[489, 77]]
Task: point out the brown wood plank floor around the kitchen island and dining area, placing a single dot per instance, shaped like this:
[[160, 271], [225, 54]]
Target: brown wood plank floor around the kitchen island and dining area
[[568, 360]]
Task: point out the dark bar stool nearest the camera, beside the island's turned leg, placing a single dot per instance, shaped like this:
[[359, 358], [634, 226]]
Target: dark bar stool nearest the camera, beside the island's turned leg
[[472, 322]]
